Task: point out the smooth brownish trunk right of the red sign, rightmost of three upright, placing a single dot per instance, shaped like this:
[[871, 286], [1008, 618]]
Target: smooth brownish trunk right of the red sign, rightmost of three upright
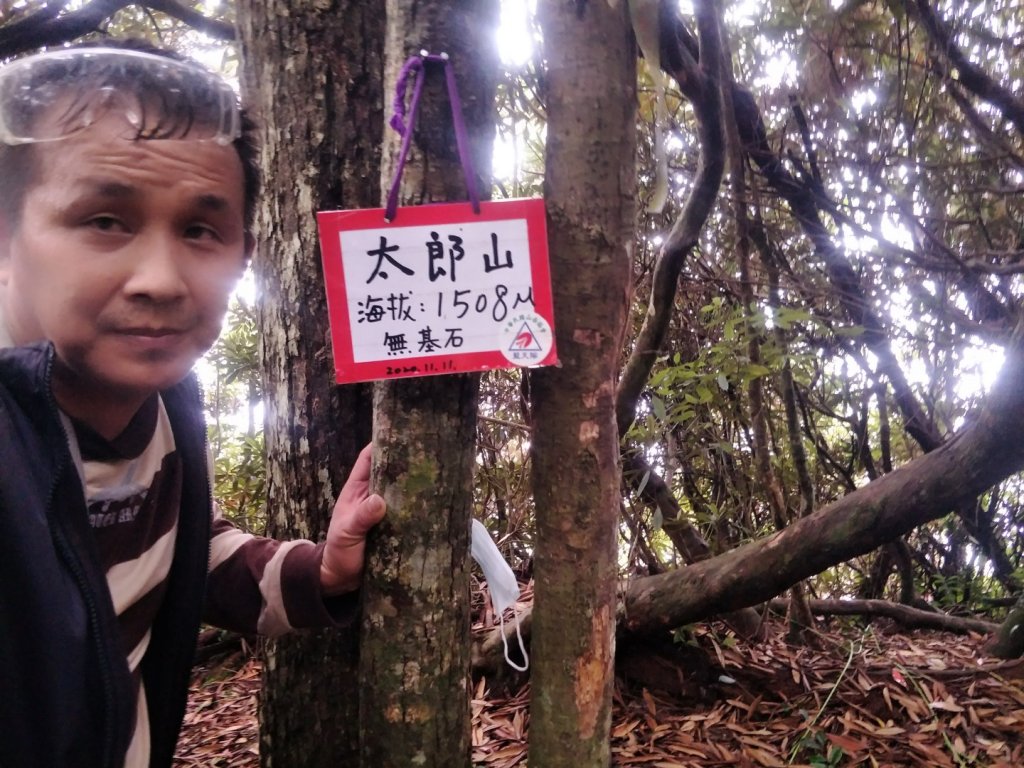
[[590, 193]]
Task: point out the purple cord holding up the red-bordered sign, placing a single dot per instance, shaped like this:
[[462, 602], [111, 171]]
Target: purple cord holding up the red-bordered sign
[[415, 65]]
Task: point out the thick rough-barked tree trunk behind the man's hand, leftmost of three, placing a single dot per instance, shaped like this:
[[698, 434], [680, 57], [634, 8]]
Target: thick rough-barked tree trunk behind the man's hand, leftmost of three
[[316, 87]]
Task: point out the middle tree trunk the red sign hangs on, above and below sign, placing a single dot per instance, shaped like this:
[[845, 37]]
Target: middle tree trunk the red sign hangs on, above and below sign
[[414, 668]]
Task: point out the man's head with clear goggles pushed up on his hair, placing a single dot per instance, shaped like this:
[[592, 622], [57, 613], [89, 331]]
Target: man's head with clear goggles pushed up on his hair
[[127, 224]]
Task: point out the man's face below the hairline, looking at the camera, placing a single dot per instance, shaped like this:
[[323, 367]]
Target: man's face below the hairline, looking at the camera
[[125, 255]]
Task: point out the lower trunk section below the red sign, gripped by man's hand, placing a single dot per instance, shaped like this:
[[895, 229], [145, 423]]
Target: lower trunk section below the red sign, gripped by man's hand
[[414, 665]]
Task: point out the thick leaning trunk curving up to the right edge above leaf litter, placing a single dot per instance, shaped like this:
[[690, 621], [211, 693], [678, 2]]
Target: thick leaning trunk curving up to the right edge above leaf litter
[[950, 478]]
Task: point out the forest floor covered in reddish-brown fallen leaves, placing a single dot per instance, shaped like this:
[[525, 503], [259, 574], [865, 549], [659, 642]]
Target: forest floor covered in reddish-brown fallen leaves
[[860, 696]]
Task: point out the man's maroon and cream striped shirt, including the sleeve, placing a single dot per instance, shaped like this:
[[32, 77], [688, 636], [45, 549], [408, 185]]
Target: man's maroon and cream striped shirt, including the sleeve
[[134, 491]]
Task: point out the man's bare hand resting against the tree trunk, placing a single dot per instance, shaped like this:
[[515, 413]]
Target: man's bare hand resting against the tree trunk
[[355, 514]]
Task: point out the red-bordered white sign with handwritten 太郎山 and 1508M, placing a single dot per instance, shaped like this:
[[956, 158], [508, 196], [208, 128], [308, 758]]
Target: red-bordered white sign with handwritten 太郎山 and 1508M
[[440, 290]]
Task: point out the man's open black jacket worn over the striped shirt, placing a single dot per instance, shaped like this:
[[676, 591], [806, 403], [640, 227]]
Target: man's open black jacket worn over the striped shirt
[[66, 693]]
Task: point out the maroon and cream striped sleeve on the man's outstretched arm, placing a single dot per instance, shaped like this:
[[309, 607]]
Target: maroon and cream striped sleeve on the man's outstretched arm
[[260, 585]]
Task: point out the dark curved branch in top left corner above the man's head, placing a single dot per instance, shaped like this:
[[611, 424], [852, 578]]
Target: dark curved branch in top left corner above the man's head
[[49, 27]]
